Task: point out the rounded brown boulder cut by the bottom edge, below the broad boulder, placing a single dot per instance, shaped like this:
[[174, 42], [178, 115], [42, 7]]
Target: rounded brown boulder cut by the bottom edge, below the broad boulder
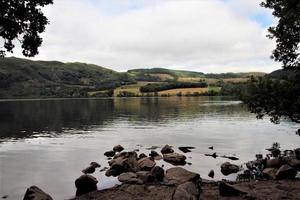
[[187, 191]]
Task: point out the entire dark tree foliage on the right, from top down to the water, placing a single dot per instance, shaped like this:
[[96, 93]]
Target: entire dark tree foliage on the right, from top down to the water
[[280, 97]]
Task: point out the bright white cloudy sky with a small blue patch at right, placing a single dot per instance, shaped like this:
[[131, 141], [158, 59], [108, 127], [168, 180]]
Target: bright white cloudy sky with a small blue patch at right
[[199, 35]]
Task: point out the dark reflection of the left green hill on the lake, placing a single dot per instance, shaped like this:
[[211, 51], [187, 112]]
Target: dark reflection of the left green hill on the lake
[[47, 116]]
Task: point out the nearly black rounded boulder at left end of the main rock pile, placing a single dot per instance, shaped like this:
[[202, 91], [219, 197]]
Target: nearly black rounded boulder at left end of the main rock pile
[[85, 184]]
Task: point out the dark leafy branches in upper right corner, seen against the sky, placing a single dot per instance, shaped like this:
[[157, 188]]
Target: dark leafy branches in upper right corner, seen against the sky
[[287, 31]]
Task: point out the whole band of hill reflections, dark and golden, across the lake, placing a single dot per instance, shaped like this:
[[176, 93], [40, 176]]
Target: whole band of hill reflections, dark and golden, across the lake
[[57, 115]]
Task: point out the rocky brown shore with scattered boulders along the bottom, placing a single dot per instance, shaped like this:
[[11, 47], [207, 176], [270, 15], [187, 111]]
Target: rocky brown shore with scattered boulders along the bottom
[[273, 176]]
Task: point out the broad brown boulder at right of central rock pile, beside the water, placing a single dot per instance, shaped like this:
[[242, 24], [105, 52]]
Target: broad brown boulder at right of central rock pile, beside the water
[[181, 175]]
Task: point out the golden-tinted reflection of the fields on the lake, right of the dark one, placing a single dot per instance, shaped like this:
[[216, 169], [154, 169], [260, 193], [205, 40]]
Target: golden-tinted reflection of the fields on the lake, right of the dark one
[[141, 110]]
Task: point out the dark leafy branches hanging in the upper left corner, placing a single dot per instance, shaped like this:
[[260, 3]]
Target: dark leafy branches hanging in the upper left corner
[[22, 20]]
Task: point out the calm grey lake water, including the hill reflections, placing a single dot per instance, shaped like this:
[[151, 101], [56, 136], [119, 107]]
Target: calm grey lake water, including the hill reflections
[[48, 142]]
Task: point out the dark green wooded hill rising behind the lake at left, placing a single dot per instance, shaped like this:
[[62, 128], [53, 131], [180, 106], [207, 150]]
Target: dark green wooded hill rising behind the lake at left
[[27, 78]]
